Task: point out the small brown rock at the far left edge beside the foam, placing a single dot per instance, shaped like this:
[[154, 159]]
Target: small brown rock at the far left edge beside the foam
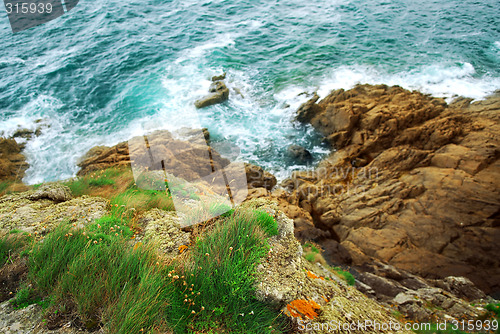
[[13, 164]]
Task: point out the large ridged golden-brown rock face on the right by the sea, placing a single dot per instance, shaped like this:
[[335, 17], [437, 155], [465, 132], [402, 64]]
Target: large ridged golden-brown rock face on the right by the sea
[[414, 182]]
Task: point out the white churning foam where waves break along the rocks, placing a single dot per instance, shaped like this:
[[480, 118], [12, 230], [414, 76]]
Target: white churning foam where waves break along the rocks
[[258, 121]]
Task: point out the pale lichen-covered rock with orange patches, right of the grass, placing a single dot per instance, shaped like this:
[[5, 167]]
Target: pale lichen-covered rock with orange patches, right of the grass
[[287, 278]]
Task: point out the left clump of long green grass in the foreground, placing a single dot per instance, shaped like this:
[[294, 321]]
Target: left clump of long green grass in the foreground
[[90, 277]]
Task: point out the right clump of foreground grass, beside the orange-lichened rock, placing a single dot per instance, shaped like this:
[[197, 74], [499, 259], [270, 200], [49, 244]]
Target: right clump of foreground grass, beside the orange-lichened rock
[[230, 254]]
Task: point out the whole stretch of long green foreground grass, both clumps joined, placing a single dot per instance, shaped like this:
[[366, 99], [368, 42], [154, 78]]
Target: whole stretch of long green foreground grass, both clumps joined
[[99, 277]]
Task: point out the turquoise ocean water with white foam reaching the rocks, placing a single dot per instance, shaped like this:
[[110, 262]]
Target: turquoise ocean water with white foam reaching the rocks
[[111, 69]]
